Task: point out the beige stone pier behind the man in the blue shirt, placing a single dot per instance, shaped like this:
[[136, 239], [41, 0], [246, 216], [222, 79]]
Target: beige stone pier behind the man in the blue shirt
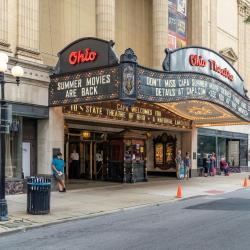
[[50, 134]]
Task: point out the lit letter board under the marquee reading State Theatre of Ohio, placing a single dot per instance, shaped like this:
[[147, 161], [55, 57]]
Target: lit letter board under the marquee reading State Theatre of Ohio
[[138, 113]]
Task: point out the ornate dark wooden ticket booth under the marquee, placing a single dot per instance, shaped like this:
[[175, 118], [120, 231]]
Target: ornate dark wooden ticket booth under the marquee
[[127, 159]]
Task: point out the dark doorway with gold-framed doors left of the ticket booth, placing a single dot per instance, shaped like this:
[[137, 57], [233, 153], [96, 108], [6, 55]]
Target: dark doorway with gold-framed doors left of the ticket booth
[[85, 155]]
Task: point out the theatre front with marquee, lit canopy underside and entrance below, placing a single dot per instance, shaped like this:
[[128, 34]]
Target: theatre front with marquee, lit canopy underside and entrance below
[[137, 118]]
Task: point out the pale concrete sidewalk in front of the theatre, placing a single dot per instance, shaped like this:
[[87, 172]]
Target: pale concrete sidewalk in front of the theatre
[[111, 197]]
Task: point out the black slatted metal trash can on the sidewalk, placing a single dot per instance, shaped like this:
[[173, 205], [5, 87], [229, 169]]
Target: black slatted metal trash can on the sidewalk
[[38, 195]]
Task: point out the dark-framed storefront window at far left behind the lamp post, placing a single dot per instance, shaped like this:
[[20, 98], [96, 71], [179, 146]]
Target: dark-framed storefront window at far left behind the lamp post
[[21, 144]]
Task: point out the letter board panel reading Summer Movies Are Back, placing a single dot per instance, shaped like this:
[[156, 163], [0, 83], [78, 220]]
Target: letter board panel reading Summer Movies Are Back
[[83, 87]]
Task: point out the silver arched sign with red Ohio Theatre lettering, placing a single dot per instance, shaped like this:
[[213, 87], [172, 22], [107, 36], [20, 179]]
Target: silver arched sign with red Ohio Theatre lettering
[[204, 61]]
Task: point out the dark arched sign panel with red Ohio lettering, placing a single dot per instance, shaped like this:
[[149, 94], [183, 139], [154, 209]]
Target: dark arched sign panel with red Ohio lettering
[[86, 53]]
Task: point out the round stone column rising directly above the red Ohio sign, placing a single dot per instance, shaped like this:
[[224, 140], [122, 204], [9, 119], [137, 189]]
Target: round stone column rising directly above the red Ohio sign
[[105, 19]]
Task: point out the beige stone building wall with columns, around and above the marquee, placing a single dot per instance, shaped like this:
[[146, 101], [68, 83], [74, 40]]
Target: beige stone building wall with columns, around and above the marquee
[[32, 32]]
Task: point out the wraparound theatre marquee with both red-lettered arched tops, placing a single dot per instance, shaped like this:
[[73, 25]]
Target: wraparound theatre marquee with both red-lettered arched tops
[[89, 71]]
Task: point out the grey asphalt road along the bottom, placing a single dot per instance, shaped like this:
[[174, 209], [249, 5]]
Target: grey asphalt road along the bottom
[[216, 223]]
